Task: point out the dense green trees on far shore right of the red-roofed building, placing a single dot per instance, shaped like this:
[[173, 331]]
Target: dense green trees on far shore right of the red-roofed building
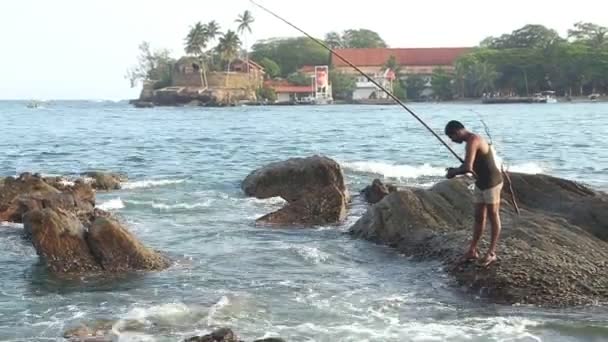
[[533, 59]]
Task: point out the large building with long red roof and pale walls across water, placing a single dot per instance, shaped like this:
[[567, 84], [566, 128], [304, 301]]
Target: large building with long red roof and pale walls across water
[[411, 61]]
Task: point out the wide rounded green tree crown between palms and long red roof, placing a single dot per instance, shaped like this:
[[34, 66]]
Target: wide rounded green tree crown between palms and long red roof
[[290, 53]]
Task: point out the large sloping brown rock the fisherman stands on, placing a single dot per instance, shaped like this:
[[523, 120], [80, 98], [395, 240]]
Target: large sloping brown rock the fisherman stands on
[[554, 254]]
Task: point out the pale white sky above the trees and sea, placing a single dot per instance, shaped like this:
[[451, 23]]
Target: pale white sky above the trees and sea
[[81, 49]]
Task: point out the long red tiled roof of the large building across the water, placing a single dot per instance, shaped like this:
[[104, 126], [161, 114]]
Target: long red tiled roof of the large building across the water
[[405, 57]]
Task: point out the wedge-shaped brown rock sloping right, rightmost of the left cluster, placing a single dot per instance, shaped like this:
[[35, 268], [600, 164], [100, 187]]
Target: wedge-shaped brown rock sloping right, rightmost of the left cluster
[[117, 250]]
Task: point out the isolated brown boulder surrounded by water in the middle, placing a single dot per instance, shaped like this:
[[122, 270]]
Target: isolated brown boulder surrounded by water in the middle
[[313, 187]]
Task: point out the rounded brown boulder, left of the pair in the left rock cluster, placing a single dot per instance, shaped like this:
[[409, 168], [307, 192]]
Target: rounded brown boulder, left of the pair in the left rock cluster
[[59, 239]]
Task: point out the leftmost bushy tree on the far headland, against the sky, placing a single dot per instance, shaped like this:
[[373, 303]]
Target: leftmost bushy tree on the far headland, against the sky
[[154, 66]]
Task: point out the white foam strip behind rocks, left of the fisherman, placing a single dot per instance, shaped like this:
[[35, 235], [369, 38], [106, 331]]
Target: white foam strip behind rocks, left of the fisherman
[[395, 170]]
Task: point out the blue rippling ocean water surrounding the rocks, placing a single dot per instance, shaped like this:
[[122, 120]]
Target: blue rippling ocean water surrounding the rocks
[[185, 167]]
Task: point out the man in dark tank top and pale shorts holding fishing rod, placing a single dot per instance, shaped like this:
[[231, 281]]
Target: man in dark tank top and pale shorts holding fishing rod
[[479, 161]]
